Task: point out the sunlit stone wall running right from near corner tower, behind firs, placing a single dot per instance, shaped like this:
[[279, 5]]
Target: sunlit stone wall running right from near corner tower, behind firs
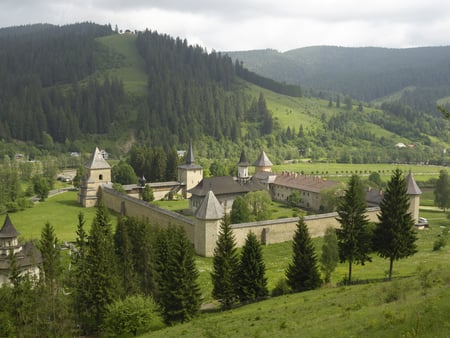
[[282, 230]]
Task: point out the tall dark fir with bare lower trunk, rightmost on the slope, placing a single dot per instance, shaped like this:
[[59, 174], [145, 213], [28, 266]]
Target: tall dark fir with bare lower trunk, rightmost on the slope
[[395, 236]]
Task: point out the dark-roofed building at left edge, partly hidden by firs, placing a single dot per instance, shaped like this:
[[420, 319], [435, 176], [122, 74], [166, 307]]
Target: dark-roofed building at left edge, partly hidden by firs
[[27, 256]]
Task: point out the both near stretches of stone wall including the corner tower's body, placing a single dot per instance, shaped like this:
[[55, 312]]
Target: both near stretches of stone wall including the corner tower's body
[[200, 231]]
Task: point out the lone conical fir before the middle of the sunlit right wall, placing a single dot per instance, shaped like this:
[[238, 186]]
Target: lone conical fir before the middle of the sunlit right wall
[[303, 274]]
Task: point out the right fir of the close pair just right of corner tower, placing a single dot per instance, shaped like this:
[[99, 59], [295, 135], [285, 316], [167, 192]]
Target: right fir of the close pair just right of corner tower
[[252, 270]]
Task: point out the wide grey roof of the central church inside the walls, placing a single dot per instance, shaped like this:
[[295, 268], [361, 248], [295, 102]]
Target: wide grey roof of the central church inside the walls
[[223, 185]]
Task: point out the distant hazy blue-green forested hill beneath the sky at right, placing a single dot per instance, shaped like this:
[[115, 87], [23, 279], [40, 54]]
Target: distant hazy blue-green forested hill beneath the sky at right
[[363, 73]]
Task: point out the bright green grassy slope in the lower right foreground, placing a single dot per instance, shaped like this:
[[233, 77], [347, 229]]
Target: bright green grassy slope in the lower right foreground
[[409, 307]]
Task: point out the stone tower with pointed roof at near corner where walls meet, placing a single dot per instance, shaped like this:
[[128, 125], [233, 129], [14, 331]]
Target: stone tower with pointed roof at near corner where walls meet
[[208, 214]]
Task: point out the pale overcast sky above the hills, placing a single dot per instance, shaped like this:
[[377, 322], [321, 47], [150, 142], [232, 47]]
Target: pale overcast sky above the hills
[[229, 25]]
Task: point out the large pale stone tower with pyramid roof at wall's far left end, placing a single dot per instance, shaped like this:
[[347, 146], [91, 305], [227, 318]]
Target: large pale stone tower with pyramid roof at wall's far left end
[[96, 172]]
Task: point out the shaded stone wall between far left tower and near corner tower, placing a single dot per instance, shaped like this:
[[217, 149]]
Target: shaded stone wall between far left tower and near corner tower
[[140, 209]]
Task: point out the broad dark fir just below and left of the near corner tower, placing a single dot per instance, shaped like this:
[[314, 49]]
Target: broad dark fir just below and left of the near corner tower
[[179, 292]]
